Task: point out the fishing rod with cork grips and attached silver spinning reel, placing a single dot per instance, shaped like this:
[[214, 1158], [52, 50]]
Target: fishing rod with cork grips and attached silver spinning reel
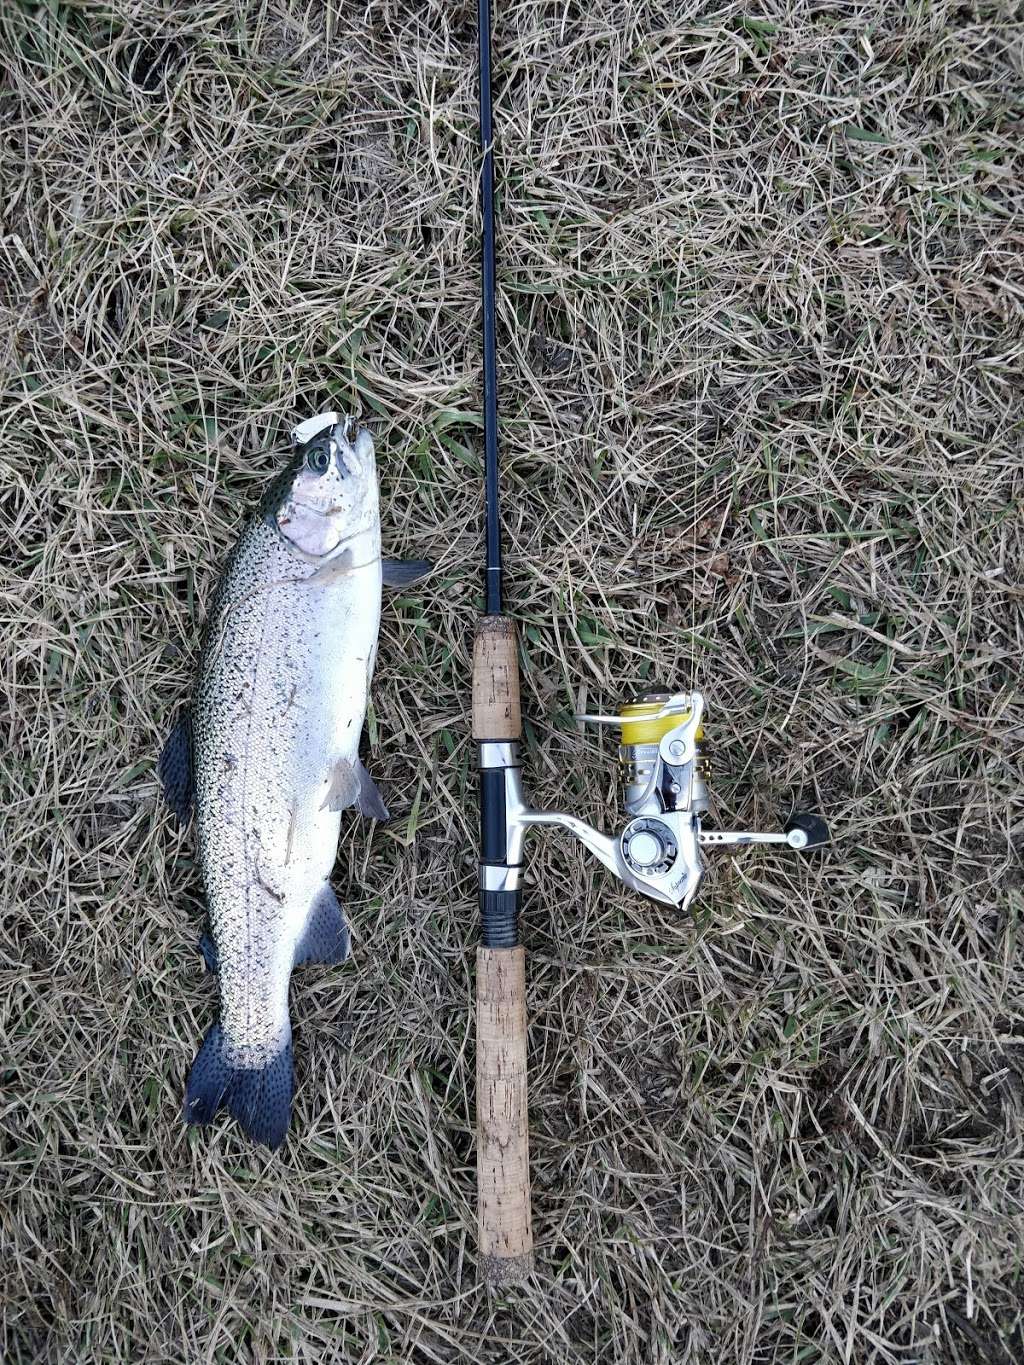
[[657, 852]]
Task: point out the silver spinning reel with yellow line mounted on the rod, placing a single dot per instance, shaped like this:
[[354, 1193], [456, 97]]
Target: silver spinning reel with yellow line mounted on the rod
[[666, 773]]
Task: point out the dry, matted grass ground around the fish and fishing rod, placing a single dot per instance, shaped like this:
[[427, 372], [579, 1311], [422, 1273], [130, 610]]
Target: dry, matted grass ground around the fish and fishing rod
[[763, 365]]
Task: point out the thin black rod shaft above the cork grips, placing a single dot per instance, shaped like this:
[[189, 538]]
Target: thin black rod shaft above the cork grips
[[491, 371]]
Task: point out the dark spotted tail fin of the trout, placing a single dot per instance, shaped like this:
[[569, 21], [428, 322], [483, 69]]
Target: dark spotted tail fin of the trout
[[261, 1100]]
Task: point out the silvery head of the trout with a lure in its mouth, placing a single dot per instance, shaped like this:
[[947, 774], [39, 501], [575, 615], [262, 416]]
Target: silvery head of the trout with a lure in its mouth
[[328, 495]]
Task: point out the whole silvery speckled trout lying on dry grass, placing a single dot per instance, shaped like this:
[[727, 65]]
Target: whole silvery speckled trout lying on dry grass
[[268, 757]]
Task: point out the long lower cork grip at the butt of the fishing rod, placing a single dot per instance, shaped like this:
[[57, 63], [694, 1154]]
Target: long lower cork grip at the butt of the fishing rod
[[503, 1147]]
